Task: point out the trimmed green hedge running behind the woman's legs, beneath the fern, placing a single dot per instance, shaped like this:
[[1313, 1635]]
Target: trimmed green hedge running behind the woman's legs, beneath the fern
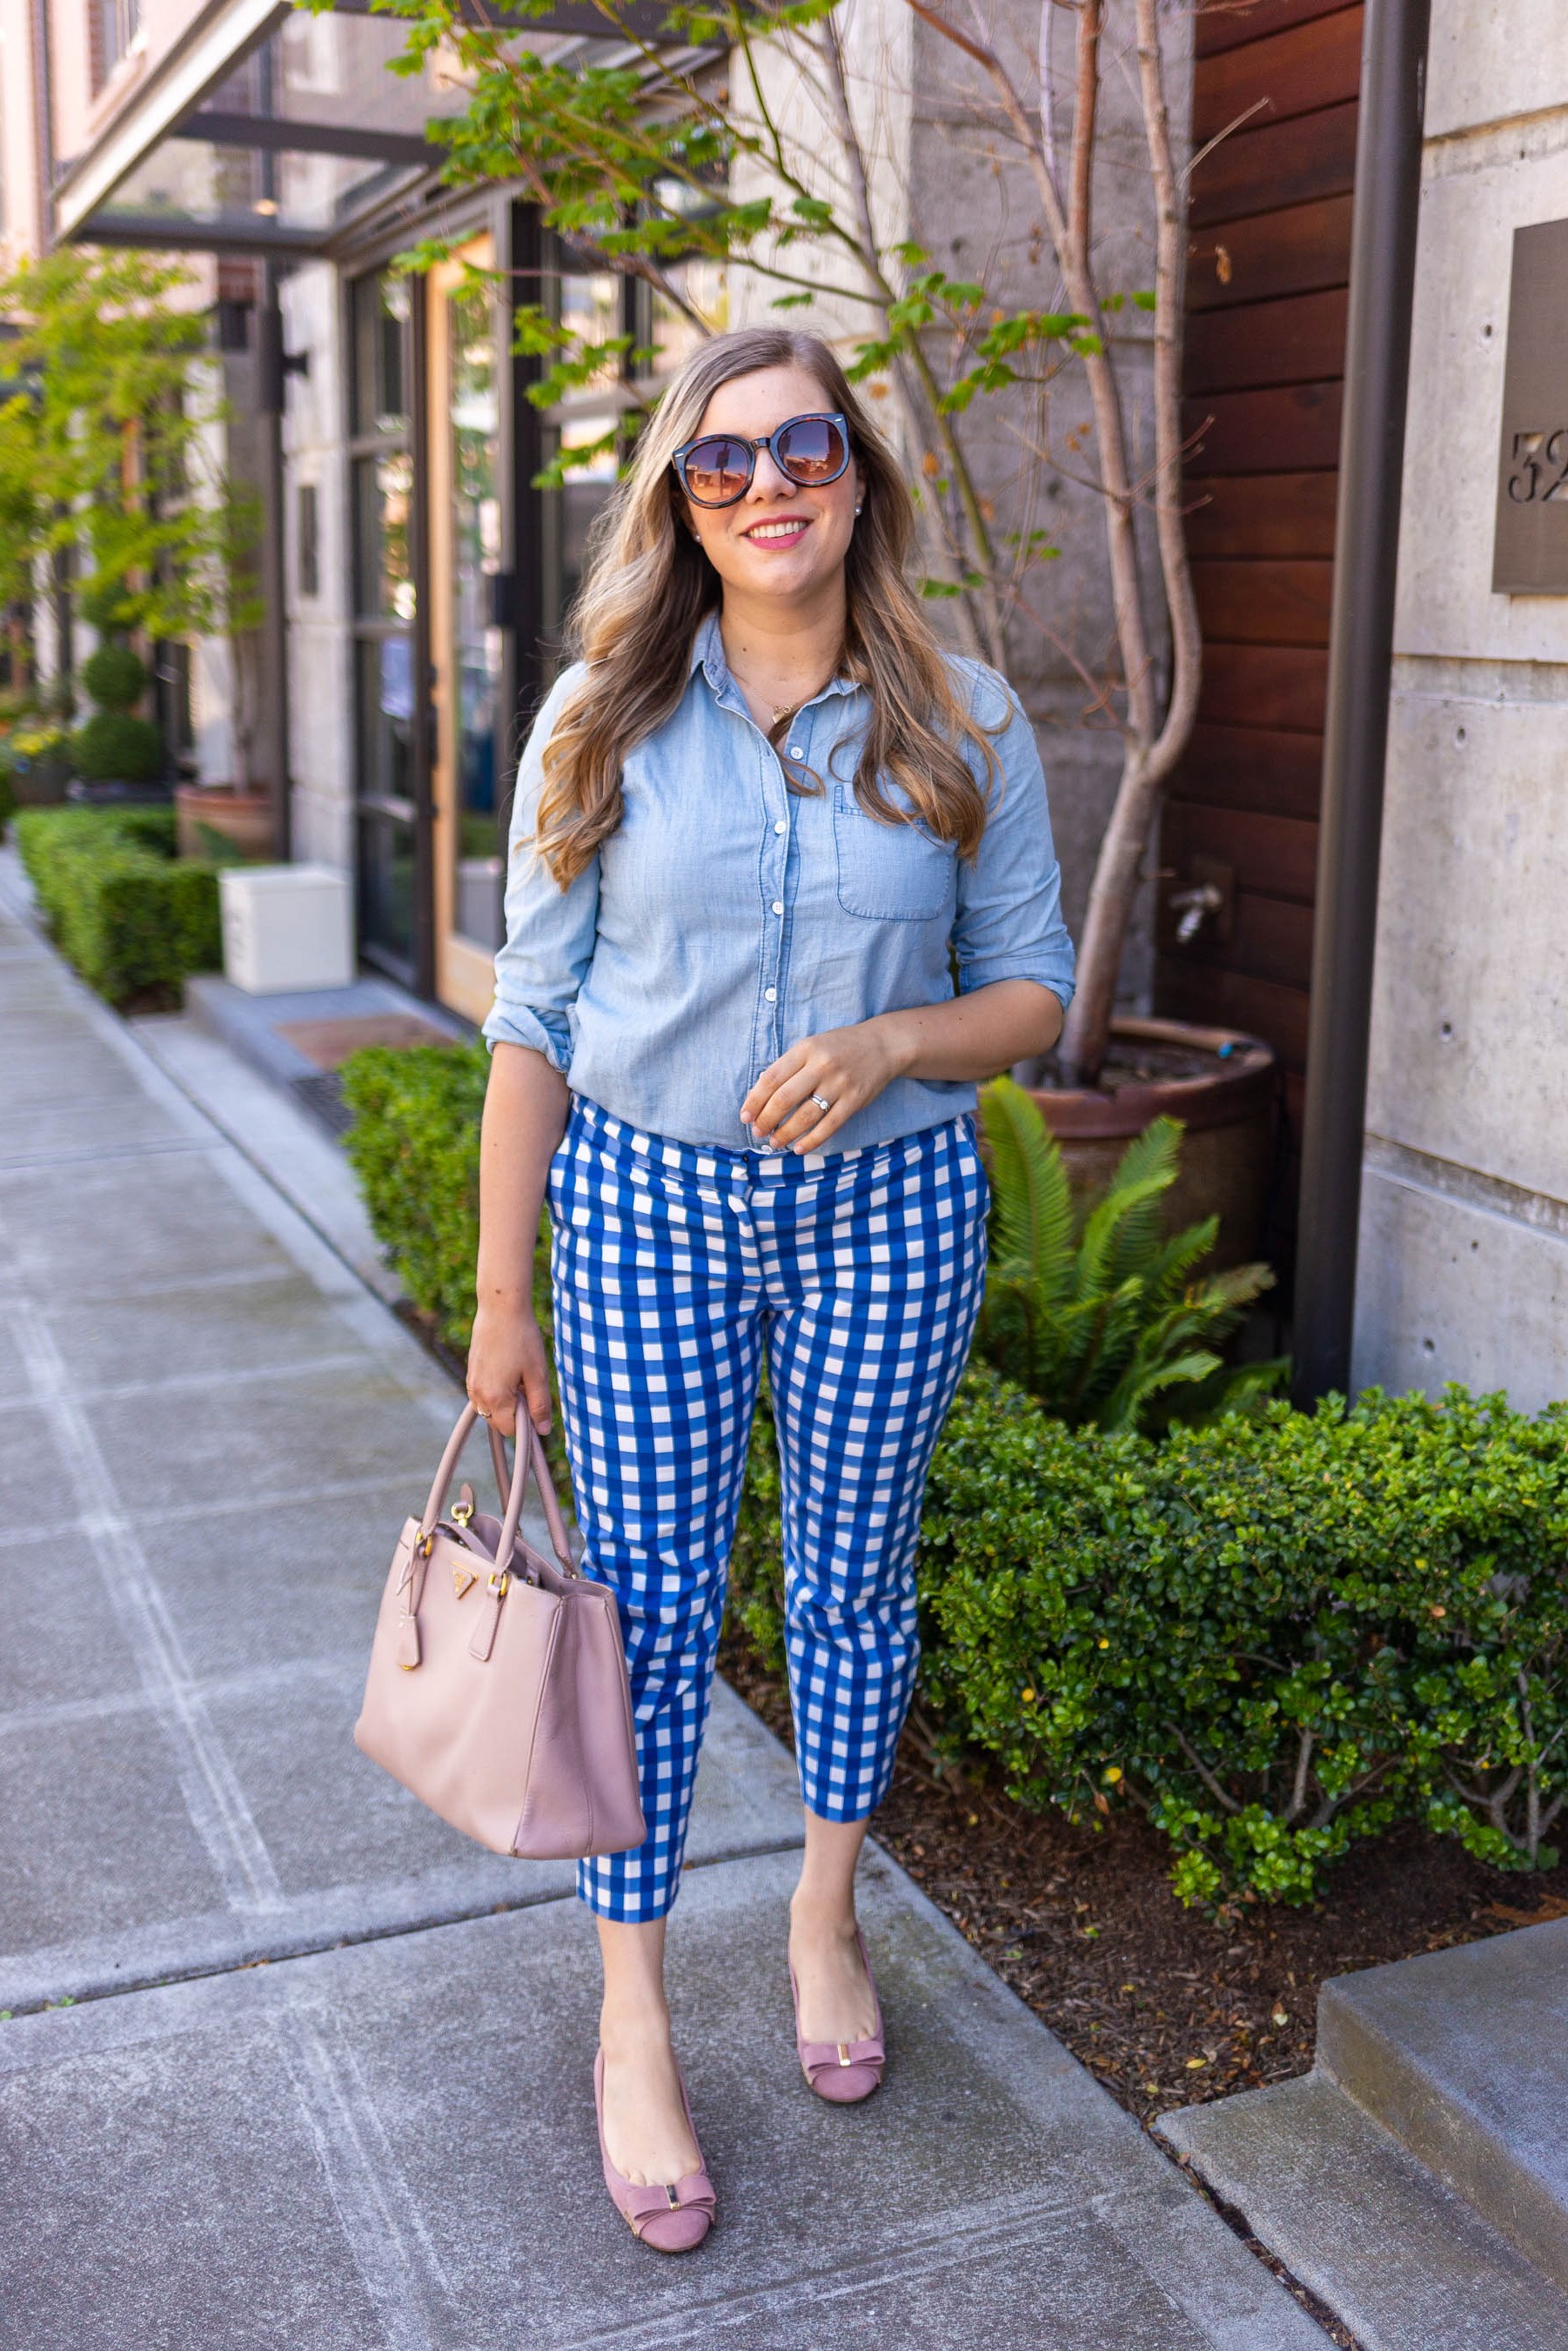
[[1273, 1635]]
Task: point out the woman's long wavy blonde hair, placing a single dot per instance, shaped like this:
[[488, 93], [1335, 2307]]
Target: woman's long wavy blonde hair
[[648, 589]]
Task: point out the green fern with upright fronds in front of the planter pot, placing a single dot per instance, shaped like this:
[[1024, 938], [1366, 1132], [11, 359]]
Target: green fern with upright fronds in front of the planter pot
[[1094, 1308]]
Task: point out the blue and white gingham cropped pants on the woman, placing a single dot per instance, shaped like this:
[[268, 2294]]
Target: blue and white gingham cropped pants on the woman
[[674, 1268]]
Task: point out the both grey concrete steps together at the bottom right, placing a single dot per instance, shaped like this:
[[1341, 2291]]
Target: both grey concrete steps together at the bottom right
[[1433, 2126]]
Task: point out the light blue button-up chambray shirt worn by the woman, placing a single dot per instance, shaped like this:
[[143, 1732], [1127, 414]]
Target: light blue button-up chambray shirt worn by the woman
[[730, 918]]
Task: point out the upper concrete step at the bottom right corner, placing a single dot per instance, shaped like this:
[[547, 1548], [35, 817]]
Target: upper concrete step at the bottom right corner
[[1463, 2058]]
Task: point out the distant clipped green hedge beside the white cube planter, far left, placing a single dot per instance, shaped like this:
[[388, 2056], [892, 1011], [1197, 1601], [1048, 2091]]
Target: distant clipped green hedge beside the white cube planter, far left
[[123, 909]]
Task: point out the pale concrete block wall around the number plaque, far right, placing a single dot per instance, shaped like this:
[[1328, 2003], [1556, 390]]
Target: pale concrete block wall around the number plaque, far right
[[1466, 1200]]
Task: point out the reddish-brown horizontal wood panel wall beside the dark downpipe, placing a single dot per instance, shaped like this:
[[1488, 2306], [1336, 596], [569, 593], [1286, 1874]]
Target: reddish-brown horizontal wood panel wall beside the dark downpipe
[[1266, 354]]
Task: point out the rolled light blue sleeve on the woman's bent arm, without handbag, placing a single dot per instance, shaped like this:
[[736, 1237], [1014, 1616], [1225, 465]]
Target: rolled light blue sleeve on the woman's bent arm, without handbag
[[1010, 920]]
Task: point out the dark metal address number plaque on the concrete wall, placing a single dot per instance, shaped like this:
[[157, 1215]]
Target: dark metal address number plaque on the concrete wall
[[1532, 547]]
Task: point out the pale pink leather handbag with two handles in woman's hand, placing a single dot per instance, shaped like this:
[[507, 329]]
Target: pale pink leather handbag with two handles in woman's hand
[[497, 1680]]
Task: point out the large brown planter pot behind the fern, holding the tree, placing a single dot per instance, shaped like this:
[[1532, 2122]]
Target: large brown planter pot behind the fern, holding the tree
[[1226, 1104]]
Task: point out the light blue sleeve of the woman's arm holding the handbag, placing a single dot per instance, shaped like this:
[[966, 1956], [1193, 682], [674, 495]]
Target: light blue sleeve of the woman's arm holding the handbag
[[549, 932]]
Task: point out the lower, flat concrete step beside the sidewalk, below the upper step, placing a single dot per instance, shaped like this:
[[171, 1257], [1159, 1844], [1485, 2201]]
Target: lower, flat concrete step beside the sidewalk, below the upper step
[[1369, 2230]]
